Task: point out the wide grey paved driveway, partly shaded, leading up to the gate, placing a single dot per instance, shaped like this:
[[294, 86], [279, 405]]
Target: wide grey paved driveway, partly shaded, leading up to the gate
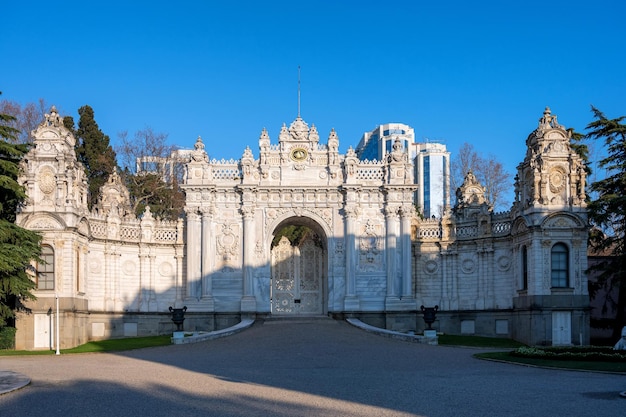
[[302, 368]]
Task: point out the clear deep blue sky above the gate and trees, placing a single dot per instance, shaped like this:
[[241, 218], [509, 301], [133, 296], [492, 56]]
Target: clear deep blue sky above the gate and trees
[[456, 71]]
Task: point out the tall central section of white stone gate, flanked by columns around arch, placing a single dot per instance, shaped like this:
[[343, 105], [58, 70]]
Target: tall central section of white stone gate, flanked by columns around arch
[[234, 209]]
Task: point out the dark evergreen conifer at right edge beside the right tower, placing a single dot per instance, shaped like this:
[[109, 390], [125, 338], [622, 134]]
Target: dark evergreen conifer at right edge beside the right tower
[[607, 212]]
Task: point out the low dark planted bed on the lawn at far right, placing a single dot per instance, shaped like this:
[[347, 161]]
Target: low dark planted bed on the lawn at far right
[[572, 353]]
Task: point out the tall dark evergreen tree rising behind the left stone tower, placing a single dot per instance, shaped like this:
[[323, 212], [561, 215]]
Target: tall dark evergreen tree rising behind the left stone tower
[[94, 151]]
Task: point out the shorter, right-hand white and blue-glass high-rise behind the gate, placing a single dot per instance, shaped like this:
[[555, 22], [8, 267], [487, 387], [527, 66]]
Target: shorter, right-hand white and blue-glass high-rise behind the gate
[[432, 174]]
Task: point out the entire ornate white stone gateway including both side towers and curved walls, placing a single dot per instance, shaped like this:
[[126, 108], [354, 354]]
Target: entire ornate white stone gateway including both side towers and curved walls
[[367, 253]]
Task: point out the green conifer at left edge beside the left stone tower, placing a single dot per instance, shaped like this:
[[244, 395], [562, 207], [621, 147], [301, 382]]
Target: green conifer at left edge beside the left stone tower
[[18, 246]]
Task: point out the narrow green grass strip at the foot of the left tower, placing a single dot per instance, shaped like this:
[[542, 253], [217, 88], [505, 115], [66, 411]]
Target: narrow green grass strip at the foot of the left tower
[[111, 345]]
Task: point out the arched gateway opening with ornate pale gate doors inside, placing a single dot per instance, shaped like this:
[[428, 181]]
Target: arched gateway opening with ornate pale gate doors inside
[[299, 265]]
